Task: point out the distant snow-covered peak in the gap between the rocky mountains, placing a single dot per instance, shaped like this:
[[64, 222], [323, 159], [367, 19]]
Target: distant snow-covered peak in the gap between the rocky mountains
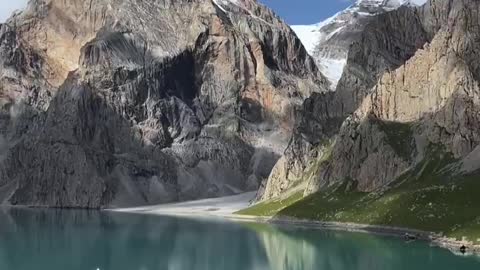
[[329, 41]]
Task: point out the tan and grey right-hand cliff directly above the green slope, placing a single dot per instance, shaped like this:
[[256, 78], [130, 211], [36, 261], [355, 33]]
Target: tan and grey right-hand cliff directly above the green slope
[[430, 101]]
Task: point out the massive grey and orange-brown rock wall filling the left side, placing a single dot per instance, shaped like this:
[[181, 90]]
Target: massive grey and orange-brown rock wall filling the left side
[[147, 101]]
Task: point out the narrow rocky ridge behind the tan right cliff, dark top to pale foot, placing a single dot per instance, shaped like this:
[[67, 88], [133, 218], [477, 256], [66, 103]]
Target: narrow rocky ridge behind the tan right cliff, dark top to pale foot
[[386, 43]]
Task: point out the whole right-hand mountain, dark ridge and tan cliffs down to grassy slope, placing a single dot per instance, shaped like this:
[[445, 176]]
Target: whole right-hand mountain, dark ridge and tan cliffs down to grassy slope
[[407, 155]]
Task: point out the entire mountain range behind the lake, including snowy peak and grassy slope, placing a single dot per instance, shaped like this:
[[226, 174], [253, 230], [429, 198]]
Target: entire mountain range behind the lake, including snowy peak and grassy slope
[[120, 103]]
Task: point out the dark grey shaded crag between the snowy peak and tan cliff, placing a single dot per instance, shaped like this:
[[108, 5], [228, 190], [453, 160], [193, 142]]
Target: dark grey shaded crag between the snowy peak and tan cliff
[[386, 43]]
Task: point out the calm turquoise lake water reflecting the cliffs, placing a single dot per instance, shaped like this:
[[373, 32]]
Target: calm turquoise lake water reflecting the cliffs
[[71, 240]]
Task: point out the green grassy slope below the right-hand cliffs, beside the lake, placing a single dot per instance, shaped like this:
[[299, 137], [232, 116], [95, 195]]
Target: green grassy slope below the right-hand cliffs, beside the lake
[[426, 198]]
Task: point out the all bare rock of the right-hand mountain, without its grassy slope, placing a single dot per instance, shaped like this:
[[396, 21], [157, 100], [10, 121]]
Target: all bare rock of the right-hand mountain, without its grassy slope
[[425, 97]]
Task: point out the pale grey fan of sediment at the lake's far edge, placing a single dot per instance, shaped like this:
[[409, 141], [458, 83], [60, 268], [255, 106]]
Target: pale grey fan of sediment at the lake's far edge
[[214, 207]]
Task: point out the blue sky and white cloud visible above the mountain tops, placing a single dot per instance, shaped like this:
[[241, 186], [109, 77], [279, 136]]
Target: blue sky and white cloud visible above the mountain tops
[[293, 11]]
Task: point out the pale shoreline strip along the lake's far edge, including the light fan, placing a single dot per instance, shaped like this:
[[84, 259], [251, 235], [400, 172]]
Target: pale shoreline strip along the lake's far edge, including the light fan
[[226, 207]]
